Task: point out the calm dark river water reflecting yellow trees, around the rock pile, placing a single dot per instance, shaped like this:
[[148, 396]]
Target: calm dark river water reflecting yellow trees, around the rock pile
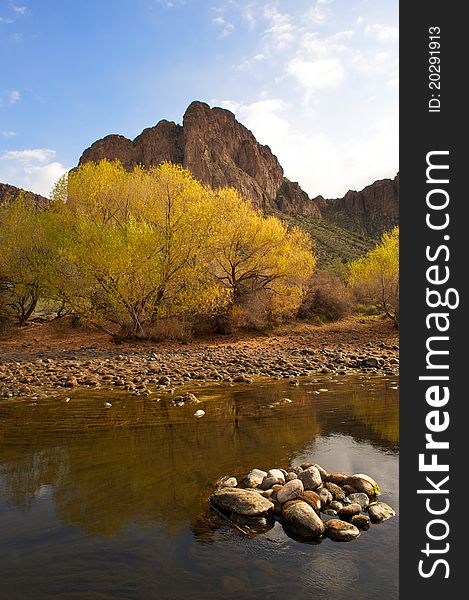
[[101, 504]]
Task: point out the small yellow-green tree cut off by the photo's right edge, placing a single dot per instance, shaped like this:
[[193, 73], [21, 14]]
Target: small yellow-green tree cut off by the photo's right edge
[[375, 277]]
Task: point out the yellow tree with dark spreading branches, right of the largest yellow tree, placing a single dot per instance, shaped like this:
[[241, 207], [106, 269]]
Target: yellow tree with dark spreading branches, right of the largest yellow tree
[[253, 255]]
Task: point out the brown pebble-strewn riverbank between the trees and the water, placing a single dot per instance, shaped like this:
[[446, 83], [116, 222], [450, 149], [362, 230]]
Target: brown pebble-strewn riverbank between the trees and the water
[[45, 358]]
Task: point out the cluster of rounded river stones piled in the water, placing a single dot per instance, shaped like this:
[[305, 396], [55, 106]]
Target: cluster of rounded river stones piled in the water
[[308, 501]]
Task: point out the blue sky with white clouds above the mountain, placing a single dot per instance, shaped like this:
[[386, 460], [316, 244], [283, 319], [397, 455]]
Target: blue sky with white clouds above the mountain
[[316, 80]]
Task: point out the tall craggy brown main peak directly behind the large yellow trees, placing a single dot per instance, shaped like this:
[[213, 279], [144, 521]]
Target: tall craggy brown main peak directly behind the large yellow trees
[[211, 143]]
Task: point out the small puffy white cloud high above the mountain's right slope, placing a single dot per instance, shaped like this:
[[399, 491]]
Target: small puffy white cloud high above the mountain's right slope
[[317, 74]]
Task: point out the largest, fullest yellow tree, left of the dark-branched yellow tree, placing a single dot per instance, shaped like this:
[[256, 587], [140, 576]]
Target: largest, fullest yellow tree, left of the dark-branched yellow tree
[[131, 246]]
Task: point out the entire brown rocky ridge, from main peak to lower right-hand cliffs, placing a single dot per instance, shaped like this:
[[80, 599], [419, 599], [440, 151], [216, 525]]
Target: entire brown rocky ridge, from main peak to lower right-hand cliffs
[[220, 152]]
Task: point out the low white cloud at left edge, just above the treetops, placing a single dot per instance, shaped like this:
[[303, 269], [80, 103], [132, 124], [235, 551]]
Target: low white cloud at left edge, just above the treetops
[[32, 169]]
